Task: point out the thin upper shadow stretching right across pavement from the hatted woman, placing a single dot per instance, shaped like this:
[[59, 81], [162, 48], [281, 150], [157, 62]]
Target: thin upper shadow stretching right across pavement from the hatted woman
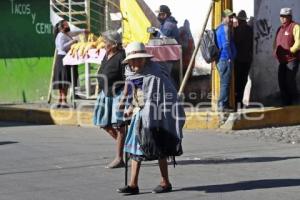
[[208, 161]]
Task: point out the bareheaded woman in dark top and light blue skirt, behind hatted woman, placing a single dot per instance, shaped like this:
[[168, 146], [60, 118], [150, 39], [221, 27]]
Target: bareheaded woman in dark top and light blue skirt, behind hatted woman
[[111, 83]]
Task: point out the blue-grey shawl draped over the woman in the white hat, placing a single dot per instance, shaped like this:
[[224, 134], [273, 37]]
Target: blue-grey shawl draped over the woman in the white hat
[[162, 110]]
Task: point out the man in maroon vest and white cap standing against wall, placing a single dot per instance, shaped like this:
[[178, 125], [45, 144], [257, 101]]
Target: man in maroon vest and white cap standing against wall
[[287, 52]]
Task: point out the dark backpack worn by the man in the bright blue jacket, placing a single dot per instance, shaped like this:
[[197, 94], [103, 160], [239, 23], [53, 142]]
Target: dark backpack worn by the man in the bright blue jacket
[[208, 46]]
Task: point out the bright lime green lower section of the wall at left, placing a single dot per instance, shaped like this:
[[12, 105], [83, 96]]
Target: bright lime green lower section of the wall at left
[[24, 79]]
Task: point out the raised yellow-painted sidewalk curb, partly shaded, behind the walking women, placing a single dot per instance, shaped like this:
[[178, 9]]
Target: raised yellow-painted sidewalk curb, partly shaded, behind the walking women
[[196, 118]]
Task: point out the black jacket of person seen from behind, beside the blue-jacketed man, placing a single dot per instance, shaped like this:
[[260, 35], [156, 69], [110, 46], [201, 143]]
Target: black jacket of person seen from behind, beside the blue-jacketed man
[[243, 40]]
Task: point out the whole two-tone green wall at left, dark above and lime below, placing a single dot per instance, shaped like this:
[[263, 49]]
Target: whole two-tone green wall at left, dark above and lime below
[[26, 50]]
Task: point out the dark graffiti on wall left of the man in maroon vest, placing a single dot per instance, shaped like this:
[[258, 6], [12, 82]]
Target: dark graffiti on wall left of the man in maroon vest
[[263, 33]]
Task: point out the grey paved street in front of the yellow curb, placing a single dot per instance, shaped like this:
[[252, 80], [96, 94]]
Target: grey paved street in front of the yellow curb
[[67, 163]]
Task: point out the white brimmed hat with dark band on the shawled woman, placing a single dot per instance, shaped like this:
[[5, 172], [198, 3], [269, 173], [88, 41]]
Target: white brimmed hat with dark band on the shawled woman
[[136, 50]]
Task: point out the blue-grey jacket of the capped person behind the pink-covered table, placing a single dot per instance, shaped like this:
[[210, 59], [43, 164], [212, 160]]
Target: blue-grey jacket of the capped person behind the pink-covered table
[[169, 28]]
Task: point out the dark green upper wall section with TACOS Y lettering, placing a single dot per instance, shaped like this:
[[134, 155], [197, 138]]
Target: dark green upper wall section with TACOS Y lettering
[[25, 30]]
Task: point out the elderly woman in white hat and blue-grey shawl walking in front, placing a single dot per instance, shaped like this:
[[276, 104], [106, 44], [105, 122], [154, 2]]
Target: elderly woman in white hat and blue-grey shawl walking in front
[[155, 132]]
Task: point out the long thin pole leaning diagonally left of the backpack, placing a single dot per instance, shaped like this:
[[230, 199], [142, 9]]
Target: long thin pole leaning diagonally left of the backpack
[[189, 69]]
